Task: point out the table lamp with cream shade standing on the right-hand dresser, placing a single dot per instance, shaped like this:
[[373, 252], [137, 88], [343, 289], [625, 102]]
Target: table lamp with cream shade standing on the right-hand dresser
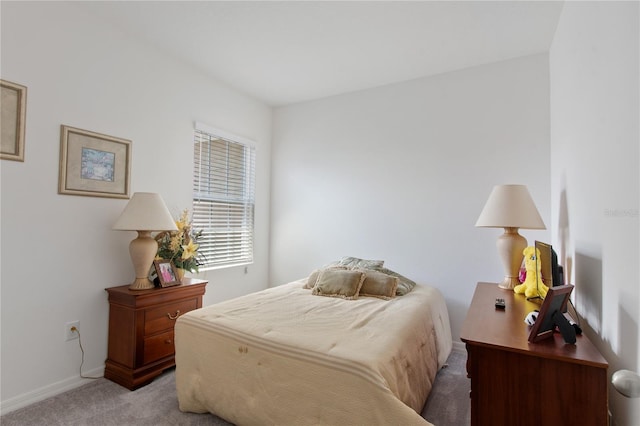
[[510, 207]]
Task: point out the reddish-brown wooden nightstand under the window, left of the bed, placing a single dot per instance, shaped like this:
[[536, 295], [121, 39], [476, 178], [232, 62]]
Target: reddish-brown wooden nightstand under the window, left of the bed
[[141, 324]]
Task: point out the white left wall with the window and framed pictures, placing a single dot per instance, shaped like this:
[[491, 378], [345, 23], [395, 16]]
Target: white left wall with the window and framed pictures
[[58, 251]]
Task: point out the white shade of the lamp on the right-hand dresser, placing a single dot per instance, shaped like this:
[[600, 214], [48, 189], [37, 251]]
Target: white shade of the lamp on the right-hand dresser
[[510, 206]]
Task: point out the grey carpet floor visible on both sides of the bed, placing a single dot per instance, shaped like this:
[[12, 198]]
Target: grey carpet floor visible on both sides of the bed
[[104, 403]]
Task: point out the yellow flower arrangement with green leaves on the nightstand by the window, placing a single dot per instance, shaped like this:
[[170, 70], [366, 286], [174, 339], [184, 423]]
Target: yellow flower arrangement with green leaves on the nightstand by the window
[[181, 246]]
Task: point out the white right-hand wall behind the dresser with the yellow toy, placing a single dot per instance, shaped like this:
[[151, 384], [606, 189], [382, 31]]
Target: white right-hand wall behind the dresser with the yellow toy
[[595, 181]]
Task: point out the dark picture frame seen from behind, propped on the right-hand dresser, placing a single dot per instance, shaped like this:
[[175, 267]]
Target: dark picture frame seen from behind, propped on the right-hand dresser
[[551, 315]]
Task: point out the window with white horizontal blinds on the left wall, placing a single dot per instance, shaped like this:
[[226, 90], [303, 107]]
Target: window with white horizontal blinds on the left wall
[[223, 197]]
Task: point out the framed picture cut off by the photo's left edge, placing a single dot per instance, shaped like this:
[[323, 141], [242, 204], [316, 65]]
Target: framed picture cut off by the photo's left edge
[[13, 115]]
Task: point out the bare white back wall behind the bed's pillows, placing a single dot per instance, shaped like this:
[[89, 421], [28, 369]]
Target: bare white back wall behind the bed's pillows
[[402, 172]]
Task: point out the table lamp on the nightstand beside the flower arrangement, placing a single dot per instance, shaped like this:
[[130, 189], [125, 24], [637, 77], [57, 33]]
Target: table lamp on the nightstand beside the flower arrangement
[[144, 213]]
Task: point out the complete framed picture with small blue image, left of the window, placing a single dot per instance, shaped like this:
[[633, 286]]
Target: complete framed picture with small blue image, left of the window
[[93, 164]]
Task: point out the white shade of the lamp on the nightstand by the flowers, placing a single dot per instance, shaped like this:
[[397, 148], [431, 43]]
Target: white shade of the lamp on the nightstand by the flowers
[[145, 211]]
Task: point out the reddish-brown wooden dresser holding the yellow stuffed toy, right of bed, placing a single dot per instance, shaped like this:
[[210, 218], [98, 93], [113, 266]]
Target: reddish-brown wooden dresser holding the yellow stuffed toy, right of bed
[[514, 382]]
